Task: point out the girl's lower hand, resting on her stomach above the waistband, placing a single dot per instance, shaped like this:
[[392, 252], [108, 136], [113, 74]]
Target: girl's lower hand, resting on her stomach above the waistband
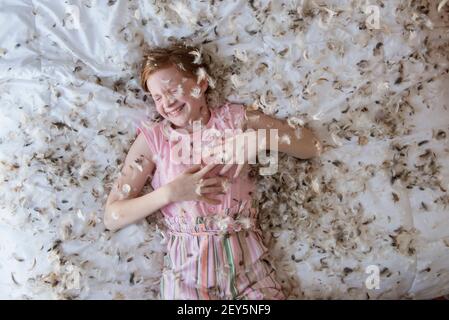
[[191, 185]]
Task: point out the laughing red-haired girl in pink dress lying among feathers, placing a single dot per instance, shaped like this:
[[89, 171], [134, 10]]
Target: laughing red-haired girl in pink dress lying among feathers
[[215, 247]]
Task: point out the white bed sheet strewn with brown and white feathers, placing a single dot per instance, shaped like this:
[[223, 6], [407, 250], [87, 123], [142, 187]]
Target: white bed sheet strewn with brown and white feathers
[[371, 78]]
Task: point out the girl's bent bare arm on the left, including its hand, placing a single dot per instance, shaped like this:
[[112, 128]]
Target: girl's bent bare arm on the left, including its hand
[[123, 207]]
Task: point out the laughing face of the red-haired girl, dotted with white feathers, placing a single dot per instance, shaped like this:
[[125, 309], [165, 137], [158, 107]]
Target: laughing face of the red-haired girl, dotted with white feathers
[[178, 98]]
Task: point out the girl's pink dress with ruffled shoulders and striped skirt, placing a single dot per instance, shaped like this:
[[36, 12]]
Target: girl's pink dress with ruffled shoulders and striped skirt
[[213, 251]]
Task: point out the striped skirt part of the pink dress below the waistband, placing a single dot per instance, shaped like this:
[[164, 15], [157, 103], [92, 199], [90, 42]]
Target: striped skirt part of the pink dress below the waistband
[[213, 267]]
